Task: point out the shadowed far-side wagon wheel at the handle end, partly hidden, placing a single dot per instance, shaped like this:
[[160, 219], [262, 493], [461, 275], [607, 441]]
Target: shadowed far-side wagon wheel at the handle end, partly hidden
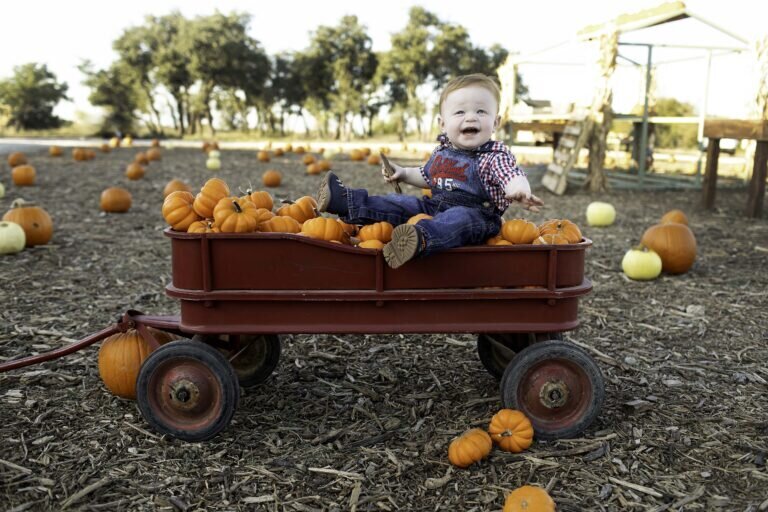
[[254, 357]]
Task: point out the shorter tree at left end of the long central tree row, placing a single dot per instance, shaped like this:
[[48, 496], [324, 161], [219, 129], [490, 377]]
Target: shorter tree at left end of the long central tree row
[[115, 90]]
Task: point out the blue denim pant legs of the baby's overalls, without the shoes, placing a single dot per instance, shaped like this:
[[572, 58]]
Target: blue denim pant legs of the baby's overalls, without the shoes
[[456, 221]]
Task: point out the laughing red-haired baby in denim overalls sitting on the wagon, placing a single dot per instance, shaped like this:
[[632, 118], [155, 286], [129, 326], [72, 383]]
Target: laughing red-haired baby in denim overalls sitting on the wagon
[[472, 179]]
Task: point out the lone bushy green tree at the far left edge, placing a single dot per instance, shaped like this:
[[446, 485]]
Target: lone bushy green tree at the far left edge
[[31, 95]]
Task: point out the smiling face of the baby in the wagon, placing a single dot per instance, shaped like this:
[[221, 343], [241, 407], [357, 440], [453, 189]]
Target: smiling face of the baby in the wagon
[[469, 116]]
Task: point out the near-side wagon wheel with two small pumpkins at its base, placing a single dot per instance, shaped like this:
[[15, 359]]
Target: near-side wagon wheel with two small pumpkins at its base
[[557, 385]]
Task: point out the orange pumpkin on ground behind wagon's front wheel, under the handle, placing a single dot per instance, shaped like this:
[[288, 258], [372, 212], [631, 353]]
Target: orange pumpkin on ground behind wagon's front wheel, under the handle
[[120, 359]]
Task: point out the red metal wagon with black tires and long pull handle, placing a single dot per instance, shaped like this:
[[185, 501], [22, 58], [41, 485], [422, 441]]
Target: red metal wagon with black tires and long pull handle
[[240, 292]]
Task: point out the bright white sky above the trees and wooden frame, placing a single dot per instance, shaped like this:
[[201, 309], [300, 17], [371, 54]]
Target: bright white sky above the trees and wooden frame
[[63, 34]]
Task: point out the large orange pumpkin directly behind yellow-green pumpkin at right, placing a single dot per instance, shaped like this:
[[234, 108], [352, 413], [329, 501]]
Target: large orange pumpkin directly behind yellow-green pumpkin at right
[[675, 245]]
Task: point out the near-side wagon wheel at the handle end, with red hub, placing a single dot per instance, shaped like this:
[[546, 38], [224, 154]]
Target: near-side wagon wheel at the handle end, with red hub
[[187, 390]]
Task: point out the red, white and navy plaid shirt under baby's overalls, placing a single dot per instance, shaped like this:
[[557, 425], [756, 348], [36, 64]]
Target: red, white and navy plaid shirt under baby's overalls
[[496, 166]]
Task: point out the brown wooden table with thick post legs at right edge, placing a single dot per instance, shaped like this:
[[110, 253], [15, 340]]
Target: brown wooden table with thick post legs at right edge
[[716, 129]]
